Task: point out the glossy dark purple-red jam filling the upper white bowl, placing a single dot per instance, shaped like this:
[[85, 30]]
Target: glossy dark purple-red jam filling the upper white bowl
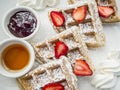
[[22, 24]]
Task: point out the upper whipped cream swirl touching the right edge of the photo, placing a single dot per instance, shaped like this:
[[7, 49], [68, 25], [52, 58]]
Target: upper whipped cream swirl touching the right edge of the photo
[[112, 63]]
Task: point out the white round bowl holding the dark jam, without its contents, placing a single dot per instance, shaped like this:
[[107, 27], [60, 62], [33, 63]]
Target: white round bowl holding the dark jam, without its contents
[[11, 12]]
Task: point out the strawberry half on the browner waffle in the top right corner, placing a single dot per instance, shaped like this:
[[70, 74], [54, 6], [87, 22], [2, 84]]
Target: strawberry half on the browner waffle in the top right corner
[[105, 11]]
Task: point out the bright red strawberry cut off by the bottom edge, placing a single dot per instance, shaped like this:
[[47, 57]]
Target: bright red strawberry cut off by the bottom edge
[[53, 86]]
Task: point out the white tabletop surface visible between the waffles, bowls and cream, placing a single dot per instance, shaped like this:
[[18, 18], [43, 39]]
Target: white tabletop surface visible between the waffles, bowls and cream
[[112, 32]]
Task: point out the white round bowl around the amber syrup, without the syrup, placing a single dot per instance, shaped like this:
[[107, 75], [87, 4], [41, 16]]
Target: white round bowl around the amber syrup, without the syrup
[[21, 72]]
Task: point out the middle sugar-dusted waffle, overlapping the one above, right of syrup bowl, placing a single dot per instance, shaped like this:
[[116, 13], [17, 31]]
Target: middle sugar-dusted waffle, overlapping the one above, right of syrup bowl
[[72, 38]]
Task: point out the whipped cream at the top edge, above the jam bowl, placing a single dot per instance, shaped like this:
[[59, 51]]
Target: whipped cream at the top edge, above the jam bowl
[[37, 4]]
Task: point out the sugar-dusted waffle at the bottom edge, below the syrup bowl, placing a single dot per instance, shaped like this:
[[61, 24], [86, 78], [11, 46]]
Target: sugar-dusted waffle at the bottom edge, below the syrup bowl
[[58, 71]]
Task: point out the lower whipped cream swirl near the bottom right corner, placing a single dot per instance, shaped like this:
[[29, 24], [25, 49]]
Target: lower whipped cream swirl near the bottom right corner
[[104, 81]]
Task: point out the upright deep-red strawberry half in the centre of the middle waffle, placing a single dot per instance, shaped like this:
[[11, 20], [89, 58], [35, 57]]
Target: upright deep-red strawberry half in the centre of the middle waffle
[[60, 49]]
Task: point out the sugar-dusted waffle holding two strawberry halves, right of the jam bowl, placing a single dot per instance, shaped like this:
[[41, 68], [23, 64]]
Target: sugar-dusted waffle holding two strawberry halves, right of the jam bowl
[[90, 28]]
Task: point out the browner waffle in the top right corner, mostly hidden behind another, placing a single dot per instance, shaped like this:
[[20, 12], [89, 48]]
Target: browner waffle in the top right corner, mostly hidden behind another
[[111, 3]]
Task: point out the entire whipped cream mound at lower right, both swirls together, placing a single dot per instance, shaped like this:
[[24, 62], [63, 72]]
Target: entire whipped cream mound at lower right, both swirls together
[[109, 69]]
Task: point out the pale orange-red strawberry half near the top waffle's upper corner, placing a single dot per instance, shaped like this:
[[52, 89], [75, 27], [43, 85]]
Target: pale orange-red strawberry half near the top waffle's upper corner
[[79, 14]]
